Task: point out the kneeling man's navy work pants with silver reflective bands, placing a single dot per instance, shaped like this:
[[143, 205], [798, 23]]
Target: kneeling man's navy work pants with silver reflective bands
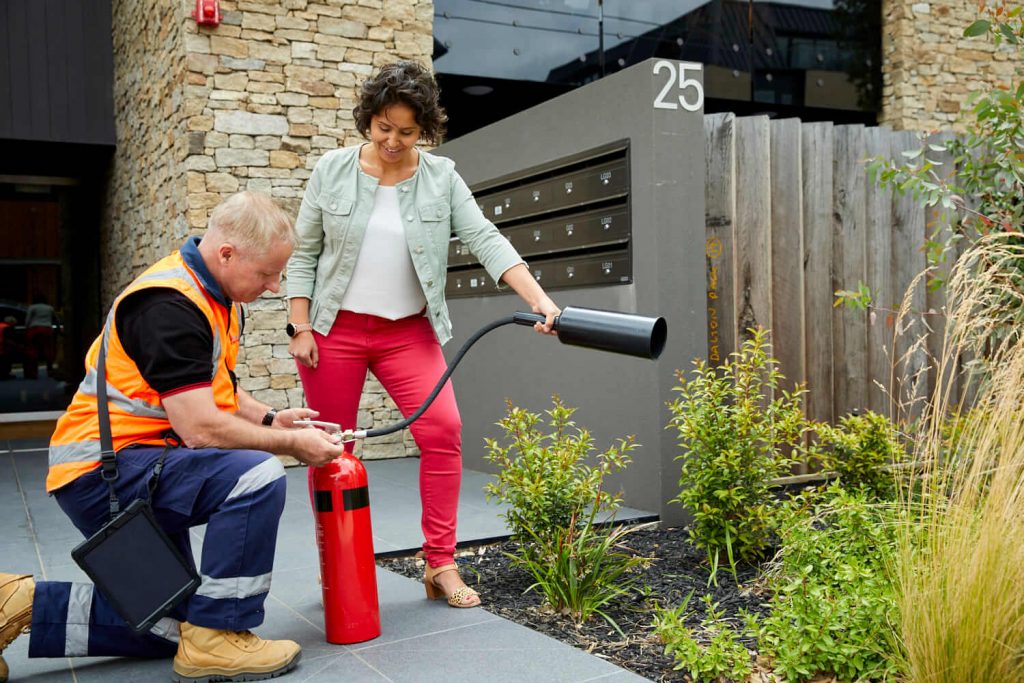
[[239, 495]]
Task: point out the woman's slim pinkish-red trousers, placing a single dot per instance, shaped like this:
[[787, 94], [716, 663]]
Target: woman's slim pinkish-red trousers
[[406, 358]]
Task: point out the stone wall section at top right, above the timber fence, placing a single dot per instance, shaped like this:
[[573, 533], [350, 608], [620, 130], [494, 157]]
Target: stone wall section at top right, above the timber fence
[[929, 68]]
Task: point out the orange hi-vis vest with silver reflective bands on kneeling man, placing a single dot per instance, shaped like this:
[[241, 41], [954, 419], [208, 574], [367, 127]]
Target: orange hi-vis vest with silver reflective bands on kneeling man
[[137, 413]]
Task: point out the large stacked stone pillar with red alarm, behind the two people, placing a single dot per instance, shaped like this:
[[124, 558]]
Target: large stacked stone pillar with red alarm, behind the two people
[[251, 104]]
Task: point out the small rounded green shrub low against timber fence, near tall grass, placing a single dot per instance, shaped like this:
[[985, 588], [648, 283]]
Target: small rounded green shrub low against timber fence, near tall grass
[[863, 450]]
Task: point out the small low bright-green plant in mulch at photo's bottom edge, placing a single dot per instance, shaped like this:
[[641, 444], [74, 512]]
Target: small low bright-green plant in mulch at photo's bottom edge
[[717, 654]]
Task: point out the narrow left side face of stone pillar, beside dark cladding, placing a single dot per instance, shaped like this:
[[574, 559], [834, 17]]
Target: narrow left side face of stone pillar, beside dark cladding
[[145, 212]]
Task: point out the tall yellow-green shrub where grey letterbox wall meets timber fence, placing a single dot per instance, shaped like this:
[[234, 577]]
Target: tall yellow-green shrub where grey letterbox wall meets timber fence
[[739, 431]]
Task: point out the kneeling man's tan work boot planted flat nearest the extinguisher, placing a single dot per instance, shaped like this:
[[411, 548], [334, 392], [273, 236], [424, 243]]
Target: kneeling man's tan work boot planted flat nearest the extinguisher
[[209, 655]]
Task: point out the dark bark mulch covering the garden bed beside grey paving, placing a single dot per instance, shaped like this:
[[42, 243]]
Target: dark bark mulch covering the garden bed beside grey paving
[[678, 568]]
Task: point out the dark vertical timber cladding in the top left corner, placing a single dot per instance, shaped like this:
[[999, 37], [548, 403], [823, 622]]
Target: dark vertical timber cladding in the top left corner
[[57, 71]]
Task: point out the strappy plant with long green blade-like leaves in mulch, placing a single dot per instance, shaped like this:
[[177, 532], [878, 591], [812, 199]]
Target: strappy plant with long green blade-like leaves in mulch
[[582, 568]]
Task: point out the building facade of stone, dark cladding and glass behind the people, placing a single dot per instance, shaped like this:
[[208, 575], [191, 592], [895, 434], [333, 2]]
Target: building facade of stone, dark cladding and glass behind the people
[[195, 113]]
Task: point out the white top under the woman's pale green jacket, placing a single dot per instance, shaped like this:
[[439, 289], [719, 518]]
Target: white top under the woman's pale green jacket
[[385, 282]]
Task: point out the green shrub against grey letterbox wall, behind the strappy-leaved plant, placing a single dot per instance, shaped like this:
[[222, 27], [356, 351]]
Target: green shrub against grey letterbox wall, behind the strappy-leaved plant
[[545, 478]]
